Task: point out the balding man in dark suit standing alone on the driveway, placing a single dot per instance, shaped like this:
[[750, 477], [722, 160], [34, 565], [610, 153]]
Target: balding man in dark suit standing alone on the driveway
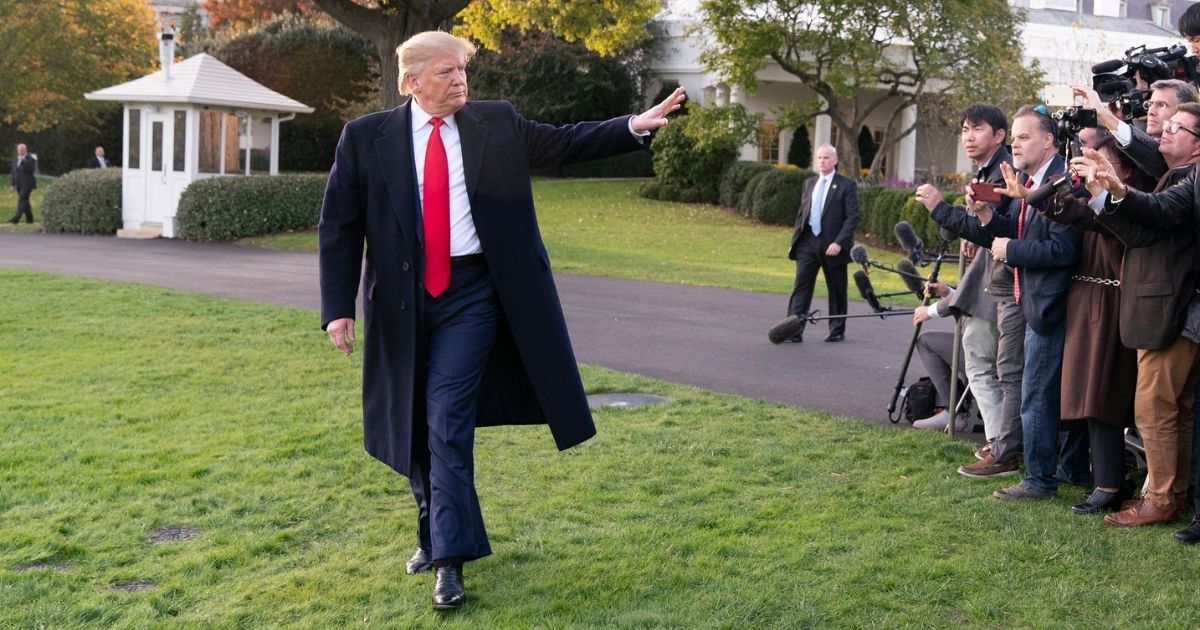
[[825, 233]]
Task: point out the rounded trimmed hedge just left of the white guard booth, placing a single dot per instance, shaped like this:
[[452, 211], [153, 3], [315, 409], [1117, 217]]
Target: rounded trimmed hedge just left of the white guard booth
[[85, 202]]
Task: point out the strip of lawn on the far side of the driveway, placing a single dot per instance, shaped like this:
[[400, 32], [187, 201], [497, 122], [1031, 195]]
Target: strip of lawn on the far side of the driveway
[[604, 229]]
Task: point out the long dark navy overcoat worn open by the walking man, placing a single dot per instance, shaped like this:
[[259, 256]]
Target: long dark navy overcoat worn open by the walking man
[[532, 376]]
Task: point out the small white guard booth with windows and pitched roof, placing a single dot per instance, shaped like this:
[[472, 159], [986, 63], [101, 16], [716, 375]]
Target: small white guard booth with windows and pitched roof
[[191, 121]]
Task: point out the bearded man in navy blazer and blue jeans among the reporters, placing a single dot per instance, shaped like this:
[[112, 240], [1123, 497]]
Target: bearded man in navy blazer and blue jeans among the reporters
[[1042, 255]]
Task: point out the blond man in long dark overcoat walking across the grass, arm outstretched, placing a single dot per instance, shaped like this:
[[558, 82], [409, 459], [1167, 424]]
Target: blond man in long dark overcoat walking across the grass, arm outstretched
[[464, 326]]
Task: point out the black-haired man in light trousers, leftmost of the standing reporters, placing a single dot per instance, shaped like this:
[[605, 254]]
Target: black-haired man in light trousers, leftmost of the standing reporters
[[993, 335]]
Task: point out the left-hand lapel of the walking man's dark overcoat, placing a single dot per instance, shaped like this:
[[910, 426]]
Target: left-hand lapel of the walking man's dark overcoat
[[394, 146]]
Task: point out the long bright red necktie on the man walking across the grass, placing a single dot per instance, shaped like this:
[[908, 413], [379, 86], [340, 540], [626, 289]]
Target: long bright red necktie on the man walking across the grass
[[437, 214]]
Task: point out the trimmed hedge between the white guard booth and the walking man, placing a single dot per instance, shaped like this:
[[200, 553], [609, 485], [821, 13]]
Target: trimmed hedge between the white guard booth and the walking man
[[236, 207]]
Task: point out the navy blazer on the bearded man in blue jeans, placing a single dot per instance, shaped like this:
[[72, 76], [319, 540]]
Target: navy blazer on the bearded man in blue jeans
[[1043, 257]]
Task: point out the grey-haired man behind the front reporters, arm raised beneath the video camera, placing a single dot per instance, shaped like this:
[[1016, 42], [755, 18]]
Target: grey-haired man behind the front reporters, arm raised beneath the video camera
[[1143, 146]]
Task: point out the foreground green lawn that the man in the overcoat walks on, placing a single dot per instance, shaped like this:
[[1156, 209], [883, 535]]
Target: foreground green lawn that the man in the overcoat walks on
[[127, 409]]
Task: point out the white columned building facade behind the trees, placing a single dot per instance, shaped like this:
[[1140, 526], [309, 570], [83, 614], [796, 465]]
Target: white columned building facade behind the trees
[[1066, 41]]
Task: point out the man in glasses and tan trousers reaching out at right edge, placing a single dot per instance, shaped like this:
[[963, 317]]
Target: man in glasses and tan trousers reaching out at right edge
[[1169, 356]]
